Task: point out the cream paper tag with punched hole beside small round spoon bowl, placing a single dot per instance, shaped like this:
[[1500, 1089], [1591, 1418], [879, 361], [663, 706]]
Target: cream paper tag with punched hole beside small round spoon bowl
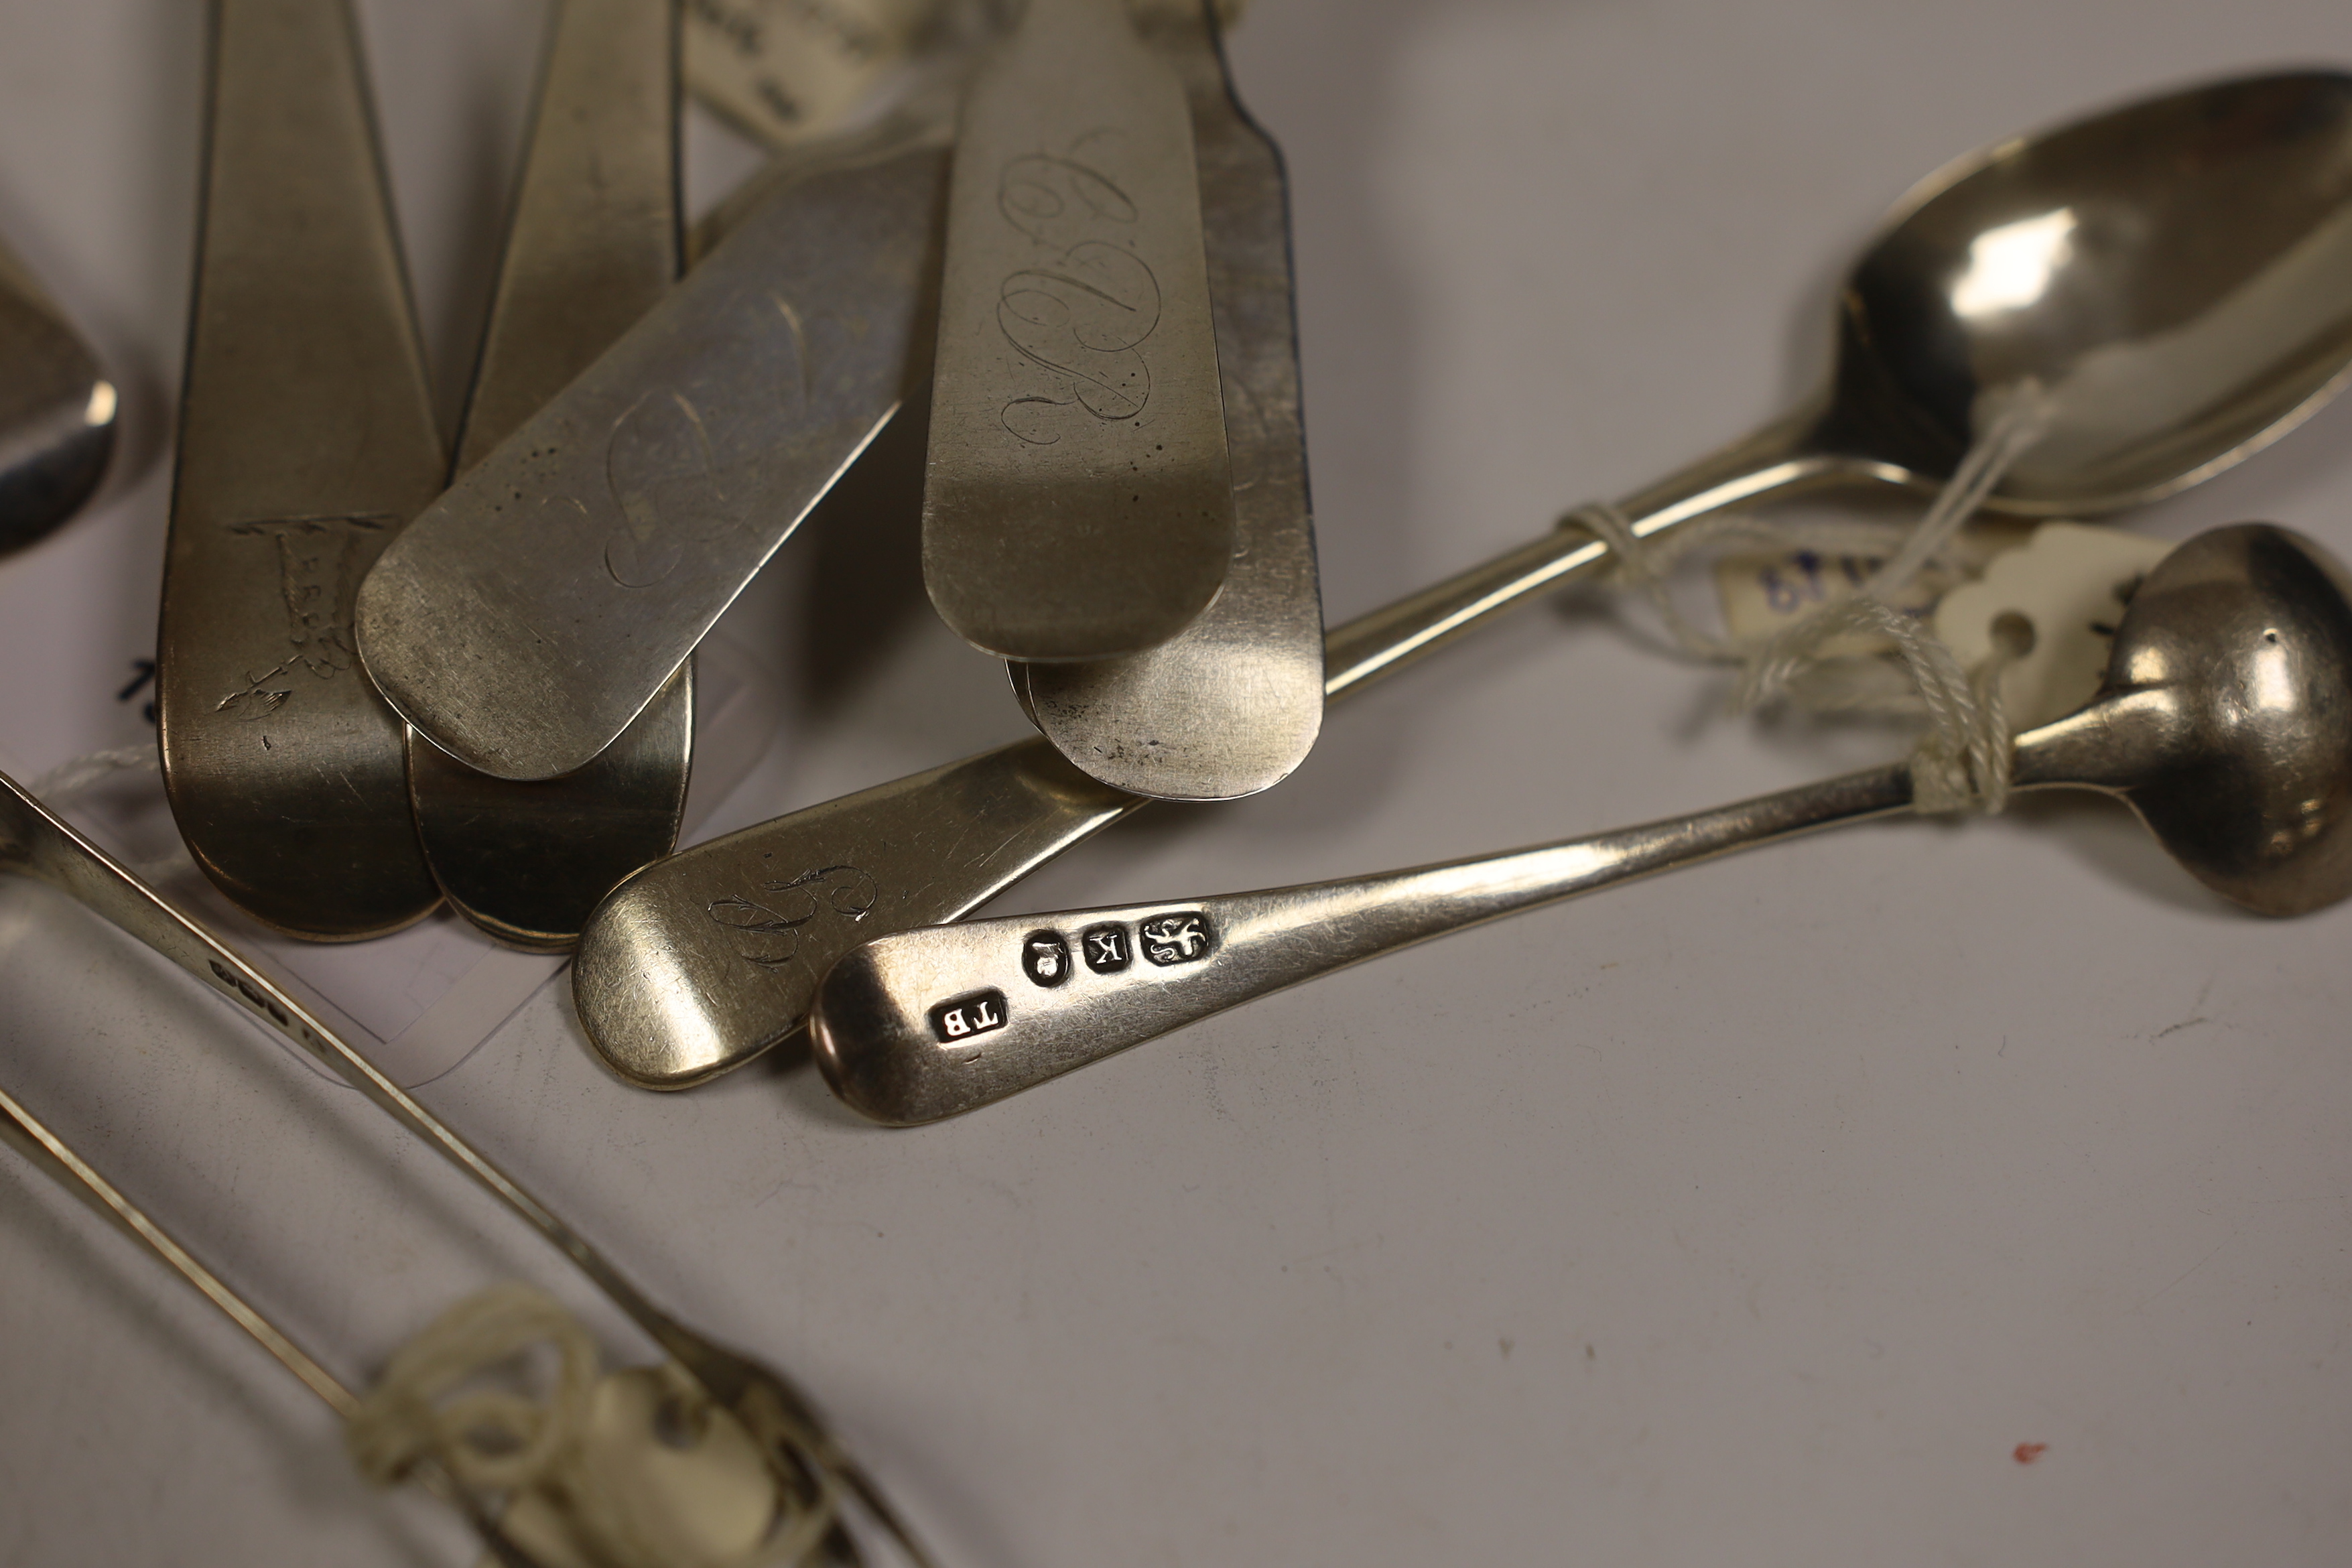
[[2069, 587]]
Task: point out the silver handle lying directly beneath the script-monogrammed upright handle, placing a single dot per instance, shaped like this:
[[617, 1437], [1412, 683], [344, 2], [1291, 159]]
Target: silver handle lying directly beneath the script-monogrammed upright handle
[[1231, 704]]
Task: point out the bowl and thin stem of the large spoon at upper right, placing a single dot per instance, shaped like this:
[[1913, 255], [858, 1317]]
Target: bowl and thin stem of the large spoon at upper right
[[2191, 309]]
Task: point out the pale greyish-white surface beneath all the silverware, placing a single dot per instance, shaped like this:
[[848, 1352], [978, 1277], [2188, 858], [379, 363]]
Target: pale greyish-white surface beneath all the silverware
[[1756, 1214]]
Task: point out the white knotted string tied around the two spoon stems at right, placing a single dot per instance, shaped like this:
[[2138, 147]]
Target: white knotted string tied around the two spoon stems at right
[[1965, 758]]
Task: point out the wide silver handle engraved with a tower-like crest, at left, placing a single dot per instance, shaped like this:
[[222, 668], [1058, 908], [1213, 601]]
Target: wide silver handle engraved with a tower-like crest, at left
[[307, 438]]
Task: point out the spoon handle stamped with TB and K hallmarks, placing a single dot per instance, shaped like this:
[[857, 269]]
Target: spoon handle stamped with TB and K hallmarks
[[940, 1021]]
